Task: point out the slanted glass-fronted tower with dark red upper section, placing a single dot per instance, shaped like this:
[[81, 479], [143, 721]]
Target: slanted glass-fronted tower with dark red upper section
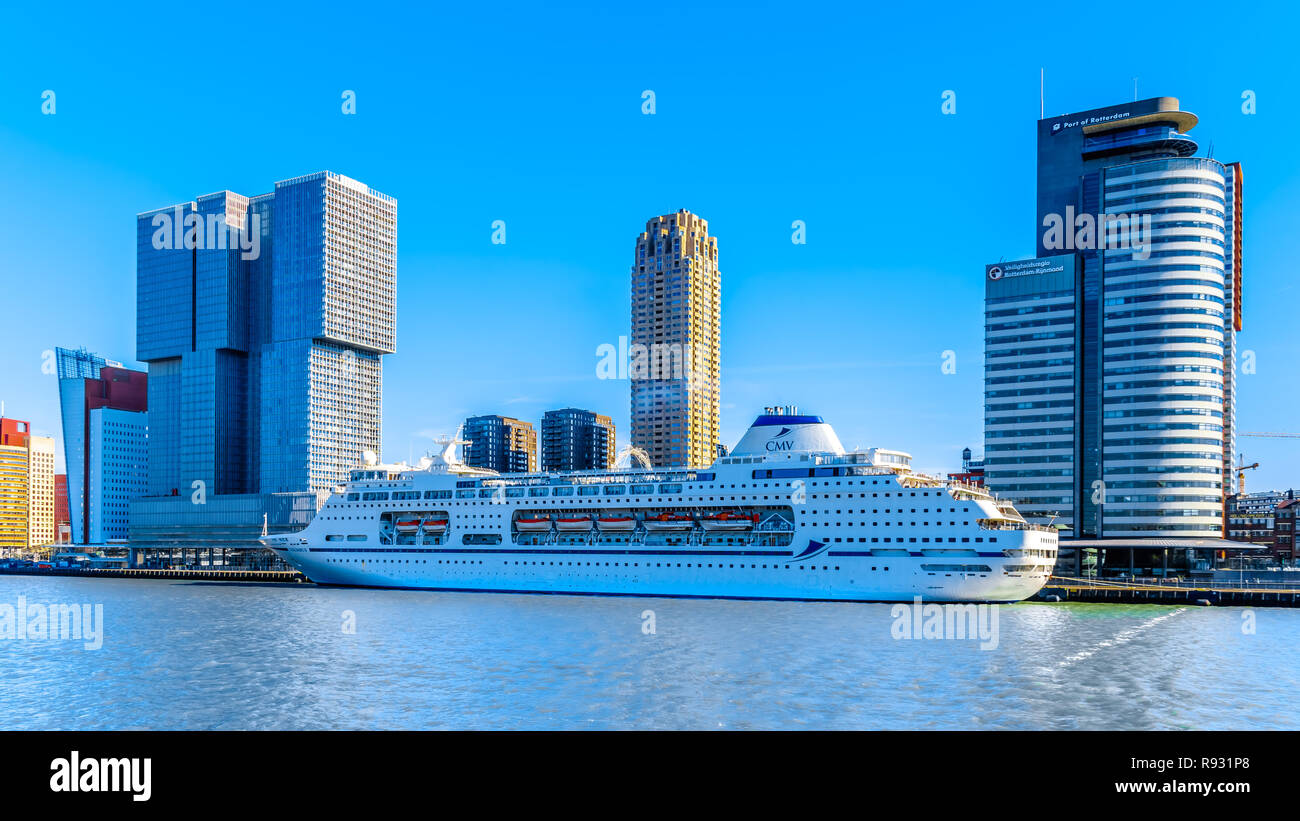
[[106, 444]]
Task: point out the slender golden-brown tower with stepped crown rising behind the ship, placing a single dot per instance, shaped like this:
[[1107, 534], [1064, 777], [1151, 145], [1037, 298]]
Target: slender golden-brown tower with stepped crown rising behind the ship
[[674, 355]]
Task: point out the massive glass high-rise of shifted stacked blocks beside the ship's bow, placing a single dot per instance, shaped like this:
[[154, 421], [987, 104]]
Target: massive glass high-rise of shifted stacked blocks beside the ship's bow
[[263, 322]]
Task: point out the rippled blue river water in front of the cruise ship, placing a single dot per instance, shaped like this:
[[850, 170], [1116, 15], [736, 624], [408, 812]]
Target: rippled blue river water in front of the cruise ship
[[189, 655]]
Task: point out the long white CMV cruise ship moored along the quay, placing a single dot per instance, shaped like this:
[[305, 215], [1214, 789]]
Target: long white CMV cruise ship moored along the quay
[[787, 515]]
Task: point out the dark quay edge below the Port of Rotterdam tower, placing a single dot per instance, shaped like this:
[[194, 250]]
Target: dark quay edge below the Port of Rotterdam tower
[[1195, 593]]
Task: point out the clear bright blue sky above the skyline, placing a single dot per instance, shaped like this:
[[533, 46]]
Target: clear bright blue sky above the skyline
[[532, 115]]
